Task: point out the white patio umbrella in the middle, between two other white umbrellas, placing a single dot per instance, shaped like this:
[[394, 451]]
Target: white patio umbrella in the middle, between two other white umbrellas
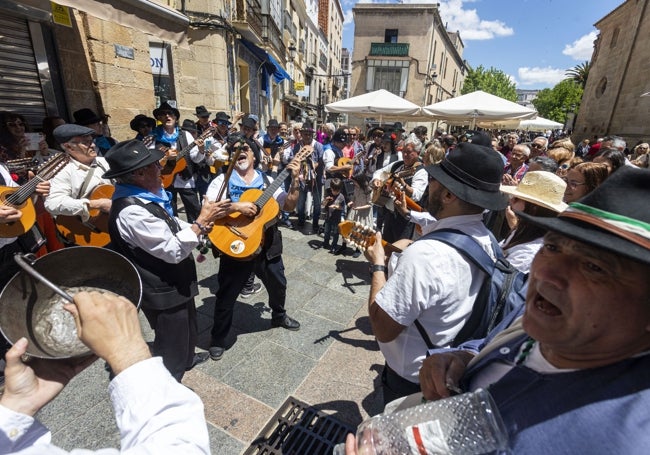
[[477, 107]]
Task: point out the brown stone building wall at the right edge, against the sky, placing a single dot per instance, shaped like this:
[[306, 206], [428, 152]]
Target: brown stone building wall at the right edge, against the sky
[[612, 101]]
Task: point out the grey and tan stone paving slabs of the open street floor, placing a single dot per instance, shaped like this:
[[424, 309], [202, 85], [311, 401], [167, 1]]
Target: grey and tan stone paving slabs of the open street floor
[[332, 363]]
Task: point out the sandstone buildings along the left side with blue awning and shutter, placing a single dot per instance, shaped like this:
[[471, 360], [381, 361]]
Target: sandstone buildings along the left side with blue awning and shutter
[[124, 57]]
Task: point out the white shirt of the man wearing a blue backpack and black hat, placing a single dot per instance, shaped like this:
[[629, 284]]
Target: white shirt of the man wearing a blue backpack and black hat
[[433, 283]]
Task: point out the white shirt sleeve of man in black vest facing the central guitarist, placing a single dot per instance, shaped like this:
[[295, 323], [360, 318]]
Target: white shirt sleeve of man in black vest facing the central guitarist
[[140, 228]]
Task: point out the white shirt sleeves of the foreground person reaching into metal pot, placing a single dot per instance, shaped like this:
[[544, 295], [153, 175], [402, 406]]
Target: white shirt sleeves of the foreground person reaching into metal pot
[[154, 413]]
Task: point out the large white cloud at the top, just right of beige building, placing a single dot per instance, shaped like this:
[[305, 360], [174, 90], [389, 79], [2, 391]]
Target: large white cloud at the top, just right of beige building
[[470, 25]]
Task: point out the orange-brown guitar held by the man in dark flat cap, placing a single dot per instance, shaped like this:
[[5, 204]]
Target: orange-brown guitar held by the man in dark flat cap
[[93, 232]]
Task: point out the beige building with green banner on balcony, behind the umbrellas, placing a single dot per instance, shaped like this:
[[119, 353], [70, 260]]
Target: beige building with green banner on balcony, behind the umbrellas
[[411, 55]]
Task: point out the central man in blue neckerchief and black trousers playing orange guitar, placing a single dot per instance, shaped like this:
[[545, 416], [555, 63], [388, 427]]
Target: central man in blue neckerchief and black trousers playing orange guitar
[[267, 265]]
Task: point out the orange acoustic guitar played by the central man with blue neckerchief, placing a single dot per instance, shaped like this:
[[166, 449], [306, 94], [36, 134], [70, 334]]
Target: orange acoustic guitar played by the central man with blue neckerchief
[[241, 237]]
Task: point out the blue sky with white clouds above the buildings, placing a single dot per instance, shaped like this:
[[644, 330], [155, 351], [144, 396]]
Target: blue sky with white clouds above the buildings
[[532, 41]]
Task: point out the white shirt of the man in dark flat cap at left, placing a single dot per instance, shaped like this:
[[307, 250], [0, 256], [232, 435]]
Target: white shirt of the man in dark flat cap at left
[[64, 198]]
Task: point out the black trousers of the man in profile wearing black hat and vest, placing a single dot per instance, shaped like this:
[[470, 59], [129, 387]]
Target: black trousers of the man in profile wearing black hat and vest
[[175, 336]]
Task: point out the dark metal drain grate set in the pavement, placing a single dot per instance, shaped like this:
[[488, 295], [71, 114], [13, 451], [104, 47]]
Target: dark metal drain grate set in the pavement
[[298, 429]]
